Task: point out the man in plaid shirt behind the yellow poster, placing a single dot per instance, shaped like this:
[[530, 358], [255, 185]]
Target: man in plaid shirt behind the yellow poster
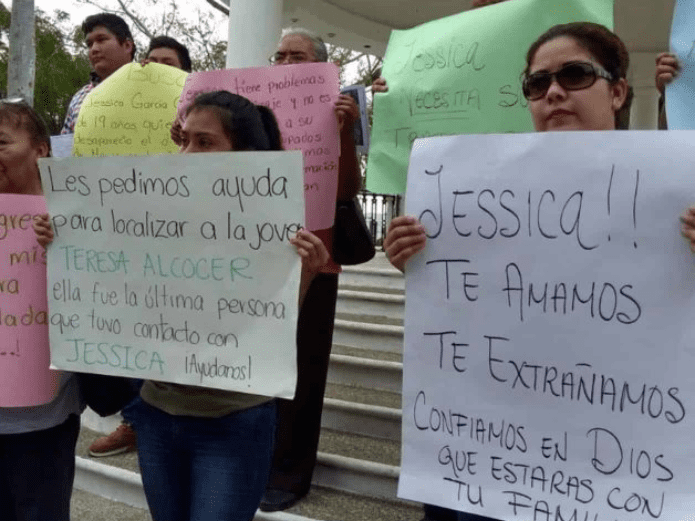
[[111, 46]]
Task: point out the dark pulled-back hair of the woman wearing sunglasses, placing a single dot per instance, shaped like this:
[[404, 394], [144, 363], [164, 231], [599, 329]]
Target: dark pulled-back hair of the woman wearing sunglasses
[[602, 43]]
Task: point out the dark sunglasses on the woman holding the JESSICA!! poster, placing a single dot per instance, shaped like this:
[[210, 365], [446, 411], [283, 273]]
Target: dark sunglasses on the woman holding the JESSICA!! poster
[[572, 76]]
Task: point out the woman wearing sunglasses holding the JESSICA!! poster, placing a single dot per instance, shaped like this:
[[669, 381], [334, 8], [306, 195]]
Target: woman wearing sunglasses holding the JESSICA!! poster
[[574, 80]]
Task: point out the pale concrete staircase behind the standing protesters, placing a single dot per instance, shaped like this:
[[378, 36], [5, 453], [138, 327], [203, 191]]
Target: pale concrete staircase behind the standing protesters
[[359, 453]]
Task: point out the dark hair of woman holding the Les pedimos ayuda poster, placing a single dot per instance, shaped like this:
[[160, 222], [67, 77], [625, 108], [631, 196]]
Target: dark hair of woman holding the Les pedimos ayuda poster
[[248, 126]]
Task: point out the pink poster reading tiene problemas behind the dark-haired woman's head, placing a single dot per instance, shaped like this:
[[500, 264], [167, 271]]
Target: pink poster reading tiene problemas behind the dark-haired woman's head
[[302, 97]]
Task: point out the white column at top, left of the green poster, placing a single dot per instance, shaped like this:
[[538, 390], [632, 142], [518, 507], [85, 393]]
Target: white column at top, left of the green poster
[[254, 31]]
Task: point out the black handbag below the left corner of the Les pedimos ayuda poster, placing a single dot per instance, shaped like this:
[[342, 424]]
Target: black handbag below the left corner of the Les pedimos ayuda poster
[[106, 395]]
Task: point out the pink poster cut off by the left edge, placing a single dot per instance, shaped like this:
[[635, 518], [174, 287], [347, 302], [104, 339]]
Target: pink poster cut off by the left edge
[[25, 379]]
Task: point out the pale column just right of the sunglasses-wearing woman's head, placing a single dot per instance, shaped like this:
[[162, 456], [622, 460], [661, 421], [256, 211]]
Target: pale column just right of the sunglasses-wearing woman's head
[[645, 111]]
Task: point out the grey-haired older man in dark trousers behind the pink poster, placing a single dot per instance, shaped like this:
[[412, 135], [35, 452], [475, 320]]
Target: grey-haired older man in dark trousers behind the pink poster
[[299, 420]]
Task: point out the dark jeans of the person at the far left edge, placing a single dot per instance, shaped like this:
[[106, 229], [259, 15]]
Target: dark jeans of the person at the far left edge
[[37, 470]]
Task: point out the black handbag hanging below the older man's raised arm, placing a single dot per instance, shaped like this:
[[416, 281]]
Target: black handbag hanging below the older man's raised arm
[[352, 241]]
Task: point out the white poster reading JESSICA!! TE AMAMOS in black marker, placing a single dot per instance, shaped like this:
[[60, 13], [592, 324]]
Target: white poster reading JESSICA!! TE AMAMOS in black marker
[[550, 327]]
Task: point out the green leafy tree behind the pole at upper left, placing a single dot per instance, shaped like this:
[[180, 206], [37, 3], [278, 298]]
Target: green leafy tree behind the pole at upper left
[[59, 73]]
